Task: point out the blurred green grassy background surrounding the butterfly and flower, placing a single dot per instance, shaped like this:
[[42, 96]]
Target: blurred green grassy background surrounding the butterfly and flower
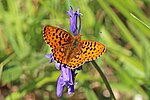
[[26, 74]]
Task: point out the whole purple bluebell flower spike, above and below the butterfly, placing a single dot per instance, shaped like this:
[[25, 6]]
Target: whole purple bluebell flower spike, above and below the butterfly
[[67, 75]]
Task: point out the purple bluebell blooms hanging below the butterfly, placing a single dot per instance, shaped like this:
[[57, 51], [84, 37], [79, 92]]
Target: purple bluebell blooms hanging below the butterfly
[[66, 77]]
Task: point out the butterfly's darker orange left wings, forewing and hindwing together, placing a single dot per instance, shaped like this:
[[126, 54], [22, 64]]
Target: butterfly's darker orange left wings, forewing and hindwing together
[[57, 39]]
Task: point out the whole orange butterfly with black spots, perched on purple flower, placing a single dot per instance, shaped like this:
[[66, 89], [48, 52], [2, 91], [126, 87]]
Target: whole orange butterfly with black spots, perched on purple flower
[[71, 50]]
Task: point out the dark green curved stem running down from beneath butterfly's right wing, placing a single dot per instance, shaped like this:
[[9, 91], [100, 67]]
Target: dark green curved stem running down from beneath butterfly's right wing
[[104, 79]]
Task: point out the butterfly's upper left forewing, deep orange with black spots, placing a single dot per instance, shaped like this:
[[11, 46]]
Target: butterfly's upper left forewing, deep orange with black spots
[[56, 37]]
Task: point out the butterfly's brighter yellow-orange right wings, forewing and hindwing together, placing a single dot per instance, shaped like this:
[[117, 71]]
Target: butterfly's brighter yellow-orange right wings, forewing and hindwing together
[[90, 50]]
